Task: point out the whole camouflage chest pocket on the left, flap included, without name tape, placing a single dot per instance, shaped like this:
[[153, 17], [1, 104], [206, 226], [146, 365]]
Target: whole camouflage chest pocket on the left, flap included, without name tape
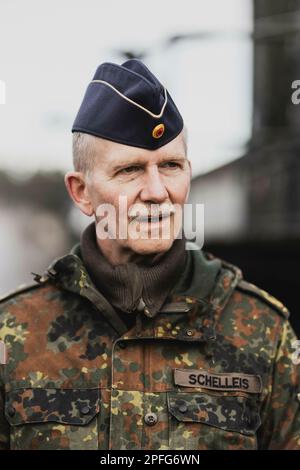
[[53, 418]]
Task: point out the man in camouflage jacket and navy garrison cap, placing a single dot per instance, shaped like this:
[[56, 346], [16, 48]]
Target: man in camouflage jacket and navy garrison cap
[[138, 341]]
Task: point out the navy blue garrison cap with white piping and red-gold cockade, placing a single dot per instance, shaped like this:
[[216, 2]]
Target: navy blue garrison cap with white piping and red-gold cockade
[[127, 104]]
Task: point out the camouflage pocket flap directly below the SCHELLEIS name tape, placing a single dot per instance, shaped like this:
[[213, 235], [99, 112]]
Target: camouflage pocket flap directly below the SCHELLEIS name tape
[[228, 412]]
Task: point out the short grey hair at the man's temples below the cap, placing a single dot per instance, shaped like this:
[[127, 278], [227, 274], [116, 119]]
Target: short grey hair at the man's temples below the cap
[[84, 150]]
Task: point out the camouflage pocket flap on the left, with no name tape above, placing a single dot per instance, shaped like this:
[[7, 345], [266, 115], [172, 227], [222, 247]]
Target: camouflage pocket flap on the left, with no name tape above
[[39, 405]]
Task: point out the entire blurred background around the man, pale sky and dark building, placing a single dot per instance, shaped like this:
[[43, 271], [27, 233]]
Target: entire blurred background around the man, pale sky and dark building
[[230, 67]]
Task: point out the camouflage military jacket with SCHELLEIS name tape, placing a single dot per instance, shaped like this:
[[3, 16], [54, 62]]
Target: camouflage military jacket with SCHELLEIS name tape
[[212, 370]]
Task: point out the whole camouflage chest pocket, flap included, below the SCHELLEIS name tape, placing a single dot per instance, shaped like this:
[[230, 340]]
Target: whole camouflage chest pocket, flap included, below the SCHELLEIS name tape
[[212, 420]]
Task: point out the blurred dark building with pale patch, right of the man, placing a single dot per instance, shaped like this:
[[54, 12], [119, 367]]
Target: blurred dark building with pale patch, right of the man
[[252, 205]]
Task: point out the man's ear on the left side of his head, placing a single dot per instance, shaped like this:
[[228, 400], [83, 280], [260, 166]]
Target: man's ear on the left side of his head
[[76, 185]]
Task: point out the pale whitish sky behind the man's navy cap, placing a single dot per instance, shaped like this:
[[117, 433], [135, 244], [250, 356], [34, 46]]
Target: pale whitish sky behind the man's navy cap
[[49, 51]]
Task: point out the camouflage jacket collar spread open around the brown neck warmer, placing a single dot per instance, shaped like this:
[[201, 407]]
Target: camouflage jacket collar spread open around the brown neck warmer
[[190, 312]]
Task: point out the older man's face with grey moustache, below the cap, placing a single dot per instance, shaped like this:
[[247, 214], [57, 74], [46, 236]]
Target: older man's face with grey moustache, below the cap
[[152, 180]]
